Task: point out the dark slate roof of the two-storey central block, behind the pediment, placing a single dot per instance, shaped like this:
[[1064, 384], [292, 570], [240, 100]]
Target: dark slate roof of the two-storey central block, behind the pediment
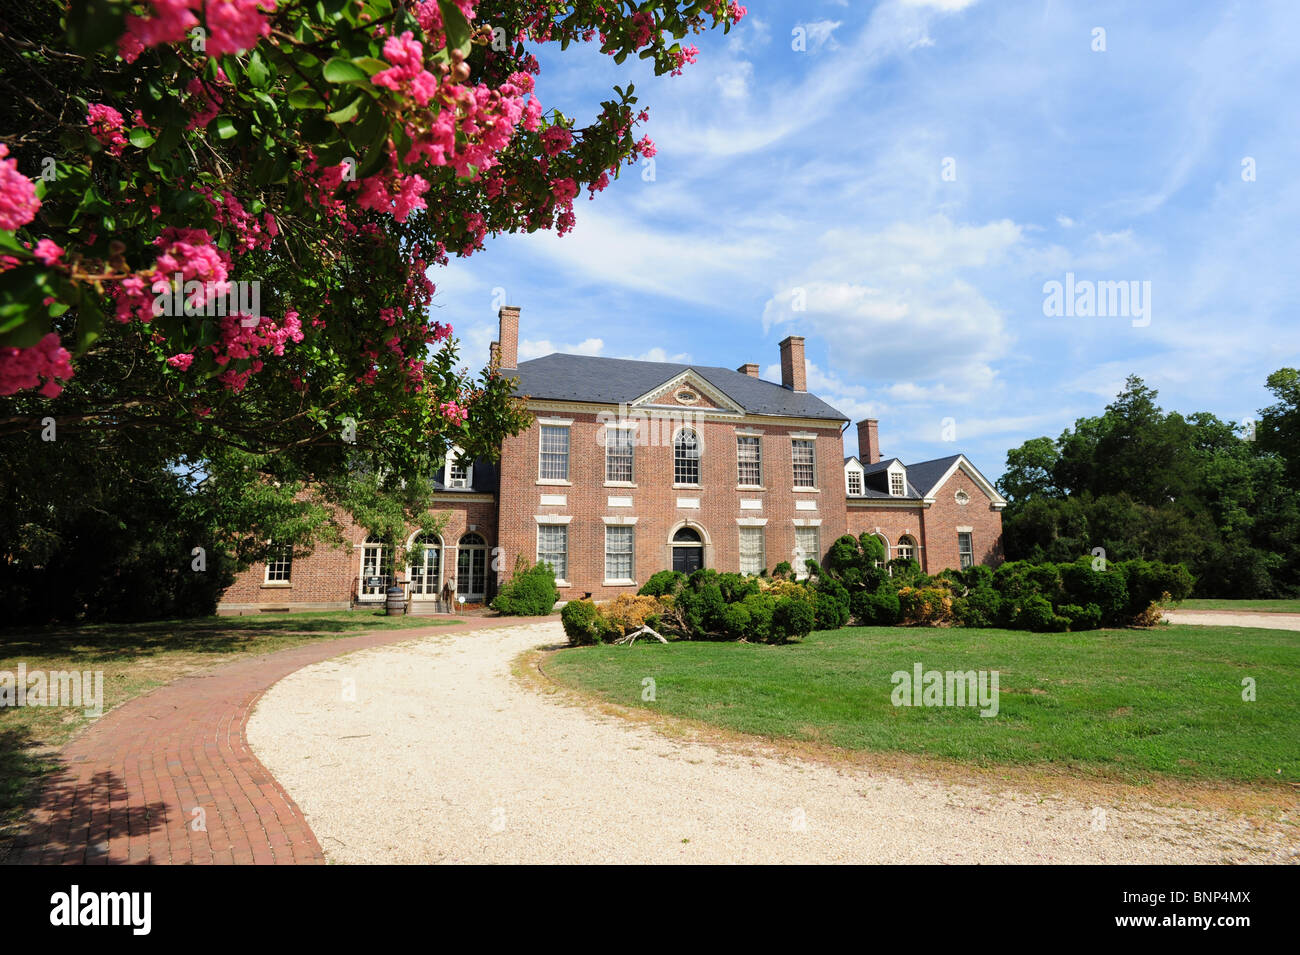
[[614, 381]]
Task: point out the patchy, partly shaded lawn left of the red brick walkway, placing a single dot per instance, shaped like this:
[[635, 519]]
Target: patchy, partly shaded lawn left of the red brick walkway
[[136, 658]]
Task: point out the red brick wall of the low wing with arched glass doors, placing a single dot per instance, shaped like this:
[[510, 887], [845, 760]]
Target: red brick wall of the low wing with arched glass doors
[[328, 578]]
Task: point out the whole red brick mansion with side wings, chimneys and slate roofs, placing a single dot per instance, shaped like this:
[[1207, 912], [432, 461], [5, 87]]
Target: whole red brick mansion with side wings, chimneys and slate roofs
[[635, 467]]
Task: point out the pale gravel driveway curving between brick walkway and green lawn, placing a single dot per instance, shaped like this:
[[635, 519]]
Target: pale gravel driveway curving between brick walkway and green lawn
[[434, 753]]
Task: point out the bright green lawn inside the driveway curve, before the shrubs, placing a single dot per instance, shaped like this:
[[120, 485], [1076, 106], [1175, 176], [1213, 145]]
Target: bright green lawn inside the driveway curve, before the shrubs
[[1123, 705]]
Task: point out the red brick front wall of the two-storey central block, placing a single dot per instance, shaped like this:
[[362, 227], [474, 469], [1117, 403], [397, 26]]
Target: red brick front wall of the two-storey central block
[[655, 500]]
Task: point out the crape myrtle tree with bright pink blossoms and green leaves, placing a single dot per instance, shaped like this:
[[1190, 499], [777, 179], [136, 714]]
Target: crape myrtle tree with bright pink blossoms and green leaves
[[219, 222]]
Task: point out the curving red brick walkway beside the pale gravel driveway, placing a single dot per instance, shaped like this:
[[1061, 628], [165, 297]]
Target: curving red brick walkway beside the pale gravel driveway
[[133, 782]]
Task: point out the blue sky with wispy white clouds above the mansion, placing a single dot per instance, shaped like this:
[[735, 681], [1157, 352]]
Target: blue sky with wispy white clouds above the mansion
[[818, 176]]
